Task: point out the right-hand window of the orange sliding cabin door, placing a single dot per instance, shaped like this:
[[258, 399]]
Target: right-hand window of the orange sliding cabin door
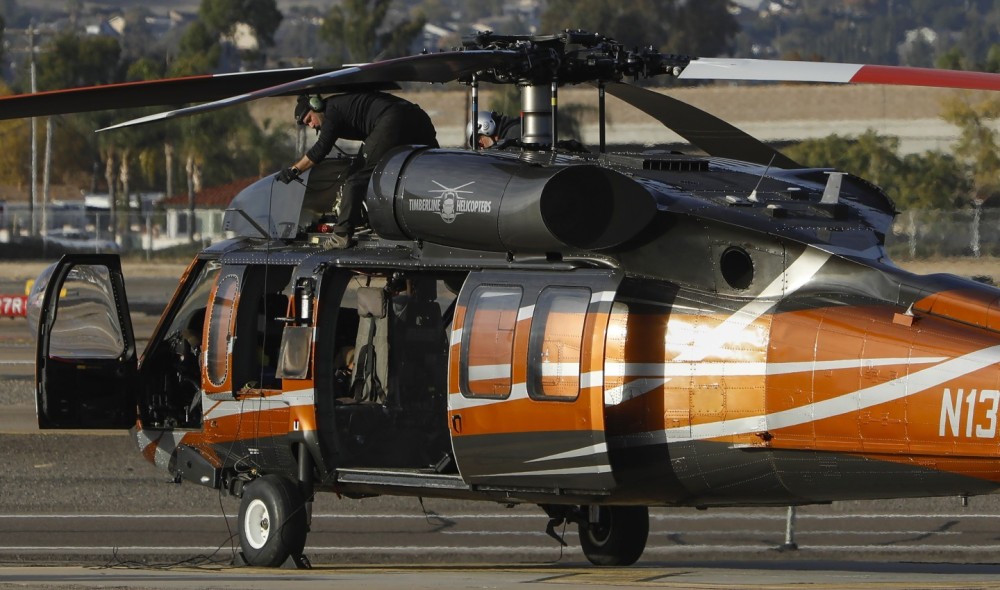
[[556, 341]]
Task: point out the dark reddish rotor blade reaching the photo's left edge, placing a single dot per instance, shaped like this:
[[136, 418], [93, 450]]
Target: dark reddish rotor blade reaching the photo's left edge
[[149, 93]]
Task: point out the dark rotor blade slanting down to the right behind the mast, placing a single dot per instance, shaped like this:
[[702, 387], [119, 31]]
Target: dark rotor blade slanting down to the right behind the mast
[[705, 131]]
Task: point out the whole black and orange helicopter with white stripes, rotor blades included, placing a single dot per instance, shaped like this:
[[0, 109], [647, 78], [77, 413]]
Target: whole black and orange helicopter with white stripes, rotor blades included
[[591, 332]]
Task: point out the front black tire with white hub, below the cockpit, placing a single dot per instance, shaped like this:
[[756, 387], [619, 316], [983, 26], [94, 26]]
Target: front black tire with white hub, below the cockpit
[[272, 521]]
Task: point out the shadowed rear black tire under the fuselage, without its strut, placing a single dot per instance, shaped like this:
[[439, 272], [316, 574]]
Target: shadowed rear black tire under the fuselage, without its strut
[[618, 537]]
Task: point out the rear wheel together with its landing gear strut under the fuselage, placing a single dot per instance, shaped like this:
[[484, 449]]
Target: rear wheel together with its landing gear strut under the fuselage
[[609, 535]]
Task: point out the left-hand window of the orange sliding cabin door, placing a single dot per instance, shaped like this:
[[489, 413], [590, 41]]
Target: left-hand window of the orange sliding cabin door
[[489, 341]]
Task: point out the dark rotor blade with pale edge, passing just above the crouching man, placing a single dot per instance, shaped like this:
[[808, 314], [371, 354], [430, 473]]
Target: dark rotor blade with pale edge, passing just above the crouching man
[[432, 67]]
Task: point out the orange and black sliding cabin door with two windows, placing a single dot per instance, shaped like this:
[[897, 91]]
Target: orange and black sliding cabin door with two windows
[[526, 387]]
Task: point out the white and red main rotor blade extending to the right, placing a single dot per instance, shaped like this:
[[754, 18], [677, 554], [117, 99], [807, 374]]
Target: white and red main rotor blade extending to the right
[[836, 73]]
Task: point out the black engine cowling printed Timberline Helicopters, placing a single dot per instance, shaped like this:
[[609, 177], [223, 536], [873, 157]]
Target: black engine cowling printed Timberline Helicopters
[[500, 202]]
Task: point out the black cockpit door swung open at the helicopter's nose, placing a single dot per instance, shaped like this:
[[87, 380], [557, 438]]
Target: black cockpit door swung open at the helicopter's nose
[[86, 368]]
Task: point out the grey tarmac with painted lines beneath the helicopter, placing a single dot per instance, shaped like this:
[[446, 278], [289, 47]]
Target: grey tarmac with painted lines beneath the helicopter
[[85, 510]]
